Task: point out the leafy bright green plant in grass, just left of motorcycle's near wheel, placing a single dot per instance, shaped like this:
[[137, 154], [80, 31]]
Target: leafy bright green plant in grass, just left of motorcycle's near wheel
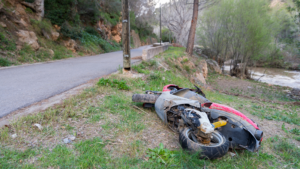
[[161, 155]]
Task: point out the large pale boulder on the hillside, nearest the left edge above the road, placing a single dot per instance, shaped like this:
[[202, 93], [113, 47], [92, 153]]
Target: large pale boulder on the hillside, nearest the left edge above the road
[[28, 37]]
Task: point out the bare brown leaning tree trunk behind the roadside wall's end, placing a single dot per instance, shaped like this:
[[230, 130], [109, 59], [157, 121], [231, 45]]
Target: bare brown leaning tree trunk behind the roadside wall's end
[[190, 44]]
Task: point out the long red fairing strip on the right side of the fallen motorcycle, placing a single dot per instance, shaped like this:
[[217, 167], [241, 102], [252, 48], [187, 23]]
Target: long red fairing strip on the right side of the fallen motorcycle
[[230, 110]]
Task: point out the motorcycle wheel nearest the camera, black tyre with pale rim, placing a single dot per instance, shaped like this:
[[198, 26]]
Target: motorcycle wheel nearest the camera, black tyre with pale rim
[[216, 149]]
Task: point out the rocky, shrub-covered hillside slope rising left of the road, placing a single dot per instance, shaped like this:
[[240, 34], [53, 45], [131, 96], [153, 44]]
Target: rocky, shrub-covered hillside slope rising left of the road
[[68, 29]]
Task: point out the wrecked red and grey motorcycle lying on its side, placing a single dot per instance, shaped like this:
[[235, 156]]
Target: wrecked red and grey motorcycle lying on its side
[[204, 127]]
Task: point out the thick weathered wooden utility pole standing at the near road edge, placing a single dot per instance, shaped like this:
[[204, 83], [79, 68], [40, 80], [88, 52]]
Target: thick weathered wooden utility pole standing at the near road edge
[[126, 35]]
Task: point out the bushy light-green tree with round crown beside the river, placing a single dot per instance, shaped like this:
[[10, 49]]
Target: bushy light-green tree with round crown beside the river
[[239, 29]]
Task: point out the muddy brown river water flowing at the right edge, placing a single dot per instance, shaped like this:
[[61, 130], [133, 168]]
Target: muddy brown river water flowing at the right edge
[[275, 76]]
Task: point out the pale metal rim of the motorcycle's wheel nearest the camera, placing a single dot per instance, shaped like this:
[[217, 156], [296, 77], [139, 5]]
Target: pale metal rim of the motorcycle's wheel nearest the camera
[[216, 140]]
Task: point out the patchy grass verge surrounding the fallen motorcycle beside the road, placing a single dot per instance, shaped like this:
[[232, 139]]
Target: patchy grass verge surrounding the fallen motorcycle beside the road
[[113, 132]]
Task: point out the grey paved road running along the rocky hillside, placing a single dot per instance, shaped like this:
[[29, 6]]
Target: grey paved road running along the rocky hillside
[[24, 85]]
